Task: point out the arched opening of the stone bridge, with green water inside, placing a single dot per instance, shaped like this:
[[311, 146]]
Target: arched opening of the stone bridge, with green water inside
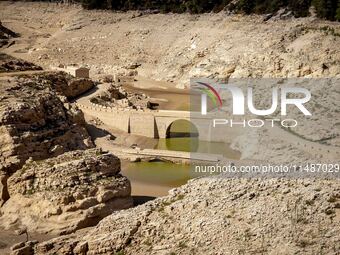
[[181, 128]]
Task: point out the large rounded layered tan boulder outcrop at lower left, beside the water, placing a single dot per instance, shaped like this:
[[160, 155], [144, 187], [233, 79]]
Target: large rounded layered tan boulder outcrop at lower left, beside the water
[[62, 194]]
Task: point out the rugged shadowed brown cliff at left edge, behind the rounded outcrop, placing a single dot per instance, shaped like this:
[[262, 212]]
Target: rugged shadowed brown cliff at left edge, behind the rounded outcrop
[[35, 122]]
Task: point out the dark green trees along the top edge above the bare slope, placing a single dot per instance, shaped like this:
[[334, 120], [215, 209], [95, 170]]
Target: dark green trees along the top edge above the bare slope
[[328, 9]]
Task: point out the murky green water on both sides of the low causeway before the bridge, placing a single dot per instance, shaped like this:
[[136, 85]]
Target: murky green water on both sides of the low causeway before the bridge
[[156, 178]]
